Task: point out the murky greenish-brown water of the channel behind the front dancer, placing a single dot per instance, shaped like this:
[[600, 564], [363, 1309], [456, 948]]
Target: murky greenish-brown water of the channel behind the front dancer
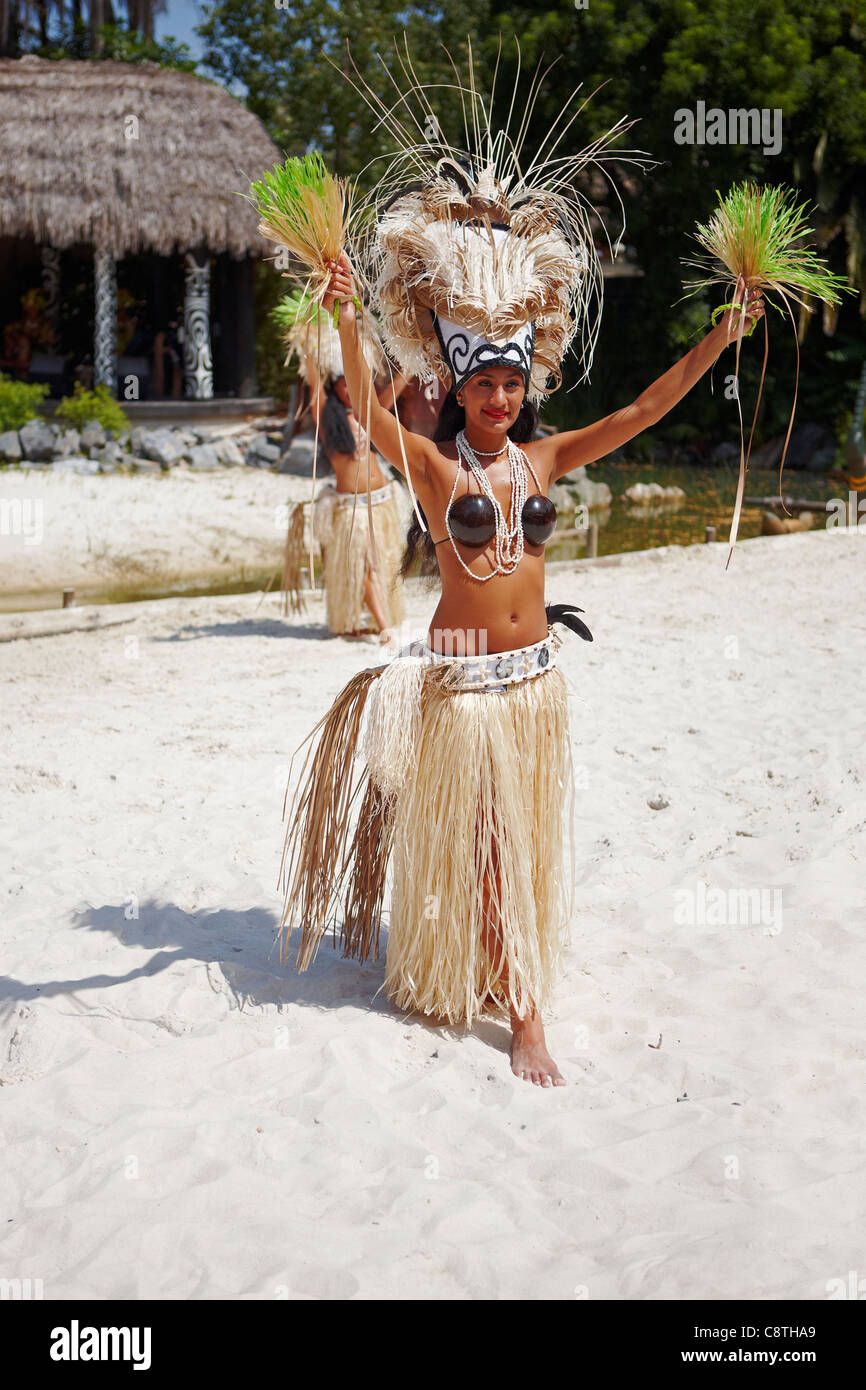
[[710, 501]]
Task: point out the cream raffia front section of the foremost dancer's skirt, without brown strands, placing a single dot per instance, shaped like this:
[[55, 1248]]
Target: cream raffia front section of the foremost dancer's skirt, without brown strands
[[482, 893]]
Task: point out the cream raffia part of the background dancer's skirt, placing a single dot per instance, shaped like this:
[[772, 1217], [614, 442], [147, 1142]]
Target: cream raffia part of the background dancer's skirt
[[347, 559]]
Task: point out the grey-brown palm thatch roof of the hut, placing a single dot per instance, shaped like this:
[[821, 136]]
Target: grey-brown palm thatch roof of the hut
[[127, 158]]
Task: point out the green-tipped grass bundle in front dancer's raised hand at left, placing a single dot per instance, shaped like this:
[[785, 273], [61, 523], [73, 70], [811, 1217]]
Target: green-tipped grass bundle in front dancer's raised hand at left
[[305, 209]]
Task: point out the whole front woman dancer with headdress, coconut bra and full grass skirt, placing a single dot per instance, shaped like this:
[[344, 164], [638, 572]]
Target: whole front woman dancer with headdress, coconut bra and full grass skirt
[[483, 280]]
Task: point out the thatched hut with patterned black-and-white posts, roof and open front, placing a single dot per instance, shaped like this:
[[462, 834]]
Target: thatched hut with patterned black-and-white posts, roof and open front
[[122, 186]]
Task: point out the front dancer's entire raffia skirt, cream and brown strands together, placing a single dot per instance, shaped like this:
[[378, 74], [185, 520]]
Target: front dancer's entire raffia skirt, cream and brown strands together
[[466, 796]]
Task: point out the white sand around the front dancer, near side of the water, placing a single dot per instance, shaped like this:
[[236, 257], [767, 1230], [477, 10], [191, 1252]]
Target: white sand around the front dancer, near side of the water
[[186, 1120]]
